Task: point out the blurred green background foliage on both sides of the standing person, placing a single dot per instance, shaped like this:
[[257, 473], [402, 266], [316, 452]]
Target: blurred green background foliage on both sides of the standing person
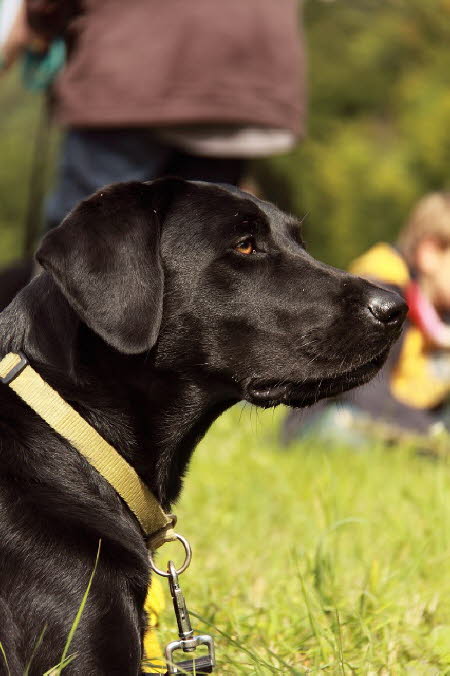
[[378, 137]]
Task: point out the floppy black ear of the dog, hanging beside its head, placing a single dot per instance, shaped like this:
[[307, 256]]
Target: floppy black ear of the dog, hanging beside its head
[[105, 257]]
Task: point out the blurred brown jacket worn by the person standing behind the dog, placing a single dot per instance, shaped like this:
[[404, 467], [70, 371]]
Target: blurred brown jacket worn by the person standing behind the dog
[[163, 62]]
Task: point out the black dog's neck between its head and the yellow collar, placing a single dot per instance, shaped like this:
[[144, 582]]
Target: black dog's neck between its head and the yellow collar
[[153, 416]]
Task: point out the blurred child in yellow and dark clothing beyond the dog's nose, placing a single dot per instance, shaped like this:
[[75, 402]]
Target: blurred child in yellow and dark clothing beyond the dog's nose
[[412, 393]]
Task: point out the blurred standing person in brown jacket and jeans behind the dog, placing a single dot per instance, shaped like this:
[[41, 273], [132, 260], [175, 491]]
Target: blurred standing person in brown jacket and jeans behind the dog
[[152, 88]]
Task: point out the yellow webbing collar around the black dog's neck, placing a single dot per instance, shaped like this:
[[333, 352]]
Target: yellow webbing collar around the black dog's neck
[[57, 413]]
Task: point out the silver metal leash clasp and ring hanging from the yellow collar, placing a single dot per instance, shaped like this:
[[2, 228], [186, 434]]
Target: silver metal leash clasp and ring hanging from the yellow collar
[[187, 642]]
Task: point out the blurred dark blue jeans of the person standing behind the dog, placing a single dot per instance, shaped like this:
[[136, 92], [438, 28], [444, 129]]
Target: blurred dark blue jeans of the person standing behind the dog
[[92, 158]]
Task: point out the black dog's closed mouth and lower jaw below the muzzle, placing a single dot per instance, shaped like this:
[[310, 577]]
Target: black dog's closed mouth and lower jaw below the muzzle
[[267, 393]]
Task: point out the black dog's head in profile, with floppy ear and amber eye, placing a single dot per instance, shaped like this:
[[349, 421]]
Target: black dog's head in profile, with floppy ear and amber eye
[[219, 286]]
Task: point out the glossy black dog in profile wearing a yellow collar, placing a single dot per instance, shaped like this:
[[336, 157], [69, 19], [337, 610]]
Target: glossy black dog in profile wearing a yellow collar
[[161, 305]]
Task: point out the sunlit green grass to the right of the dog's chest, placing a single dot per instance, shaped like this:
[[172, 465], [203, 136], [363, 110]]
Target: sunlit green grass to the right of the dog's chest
[[315, 559]]
